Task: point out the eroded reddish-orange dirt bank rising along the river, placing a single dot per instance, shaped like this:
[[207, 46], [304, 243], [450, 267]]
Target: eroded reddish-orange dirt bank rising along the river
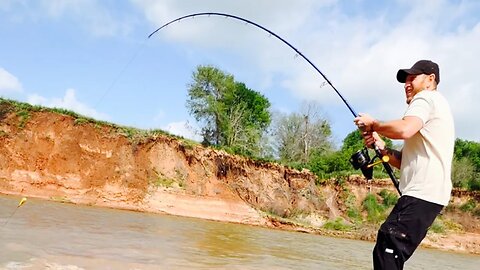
[[59, 157]]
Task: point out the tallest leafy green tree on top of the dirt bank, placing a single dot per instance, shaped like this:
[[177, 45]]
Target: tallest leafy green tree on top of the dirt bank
[[231, 115]]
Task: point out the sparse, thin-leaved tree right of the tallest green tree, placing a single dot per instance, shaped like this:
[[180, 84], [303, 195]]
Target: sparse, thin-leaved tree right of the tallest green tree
[[299, 135]]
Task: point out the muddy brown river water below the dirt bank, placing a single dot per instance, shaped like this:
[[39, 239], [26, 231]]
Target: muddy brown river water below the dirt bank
[[51, 235]]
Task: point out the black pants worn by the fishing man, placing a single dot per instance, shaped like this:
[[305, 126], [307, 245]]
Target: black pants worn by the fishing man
[[402, 232]]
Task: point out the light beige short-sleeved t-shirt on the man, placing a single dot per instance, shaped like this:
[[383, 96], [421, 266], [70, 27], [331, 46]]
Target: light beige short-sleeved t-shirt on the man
[[427, 156]]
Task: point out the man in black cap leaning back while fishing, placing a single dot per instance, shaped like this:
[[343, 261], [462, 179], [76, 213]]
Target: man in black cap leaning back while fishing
[[425, 161]]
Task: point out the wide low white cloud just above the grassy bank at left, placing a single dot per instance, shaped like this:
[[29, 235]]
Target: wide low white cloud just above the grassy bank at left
[[69, 102]]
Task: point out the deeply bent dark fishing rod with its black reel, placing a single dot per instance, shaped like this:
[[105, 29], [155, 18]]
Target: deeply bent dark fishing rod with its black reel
[[360, 159]]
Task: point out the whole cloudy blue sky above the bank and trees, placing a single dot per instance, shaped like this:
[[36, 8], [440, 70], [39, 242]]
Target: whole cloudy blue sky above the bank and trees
[[93, 57]]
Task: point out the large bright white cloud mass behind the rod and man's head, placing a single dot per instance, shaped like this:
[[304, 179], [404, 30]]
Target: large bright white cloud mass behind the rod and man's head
[[359, 53]]
